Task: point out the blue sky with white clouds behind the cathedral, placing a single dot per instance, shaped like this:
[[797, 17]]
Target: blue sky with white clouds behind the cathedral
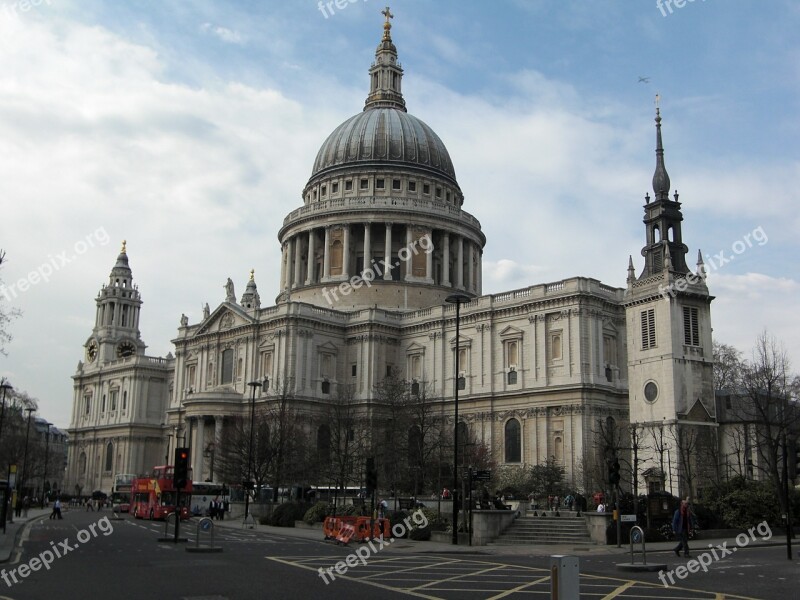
[[189, 128]]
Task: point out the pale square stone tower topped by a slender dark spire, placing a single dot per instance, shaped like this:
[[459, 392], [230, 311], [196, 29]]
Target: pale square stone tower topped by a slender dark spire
[[670, 364]]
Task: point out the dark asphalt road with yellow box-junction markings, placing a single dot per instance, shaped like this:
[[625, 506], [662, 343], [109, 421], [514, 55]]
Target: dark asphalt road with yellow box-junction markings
[[90, 555]]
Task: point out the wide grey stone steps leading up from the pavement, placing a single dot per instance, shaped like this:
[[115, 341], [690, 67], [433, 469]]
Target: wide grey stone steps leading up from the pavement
[[529, 530]]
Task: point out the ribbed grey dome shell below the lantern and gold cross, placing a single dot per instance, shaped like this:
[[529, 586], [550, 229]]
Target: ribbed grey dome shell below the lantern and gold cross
[[384, 136]]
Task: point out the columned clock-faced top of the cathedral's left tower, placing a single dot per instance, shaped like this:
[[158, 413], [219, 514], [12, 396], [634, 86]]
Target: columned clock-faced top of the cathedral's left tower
[[116, 328]]
